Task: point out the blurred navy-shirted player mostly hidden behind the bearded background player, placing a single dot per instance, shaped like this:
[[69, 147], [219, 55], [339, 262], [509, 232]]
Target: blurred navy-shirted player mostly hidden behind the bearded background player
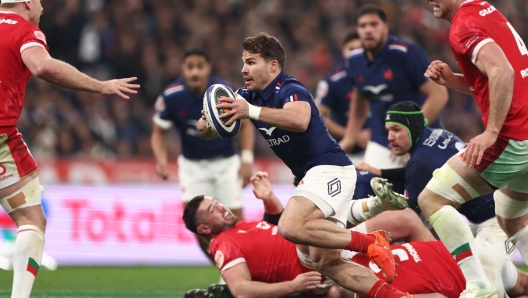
[[333, 97]]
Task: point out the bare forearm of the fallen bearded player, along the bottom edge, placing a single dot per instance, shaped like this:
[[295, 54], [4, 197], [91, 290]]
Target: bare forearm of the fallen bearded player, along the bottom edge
[[238, 279]]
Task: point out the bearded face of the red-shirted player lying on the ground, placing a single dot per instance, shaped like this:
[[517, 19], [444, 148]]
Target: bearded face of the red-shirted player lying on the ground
[[215, 216]]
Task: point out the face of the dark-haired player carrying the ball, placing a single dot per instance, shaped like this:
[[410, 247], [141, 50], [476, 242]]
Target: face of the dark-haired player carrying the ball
[[256, 72]]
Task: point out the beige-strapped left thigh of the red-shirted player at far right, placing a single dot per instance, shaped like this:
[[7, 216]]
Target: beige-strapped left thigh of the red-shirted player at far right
[[452, 184]]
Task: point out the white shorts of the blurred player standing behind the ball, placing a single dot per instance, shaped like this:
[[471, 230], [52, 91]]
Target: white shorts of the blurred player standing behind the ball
[[217, 178]]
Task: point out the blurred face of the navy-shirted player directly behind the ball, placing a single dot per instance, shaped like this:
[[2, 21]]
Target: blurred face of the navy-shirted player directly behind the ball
[[196, 71]]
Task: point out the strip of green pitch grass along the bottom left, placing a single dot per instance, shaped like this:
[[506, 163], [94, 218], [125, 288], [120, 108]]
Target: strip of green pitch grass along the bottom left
[[101, 282]]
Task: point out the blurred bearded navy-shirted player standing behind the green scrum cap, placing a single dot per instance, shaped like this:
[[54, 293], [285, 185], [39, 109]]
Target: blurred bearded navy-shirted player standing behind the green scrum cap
[[386, 70]]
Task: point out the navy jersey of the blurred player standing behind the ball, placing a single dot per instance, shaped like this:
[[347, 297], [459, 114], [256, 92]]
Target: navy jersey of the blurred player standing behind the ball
[[179, 106]]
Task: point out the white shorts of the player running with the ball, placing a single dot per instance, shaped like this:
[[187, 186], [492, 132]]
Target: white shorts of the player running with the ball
[[330, 188]]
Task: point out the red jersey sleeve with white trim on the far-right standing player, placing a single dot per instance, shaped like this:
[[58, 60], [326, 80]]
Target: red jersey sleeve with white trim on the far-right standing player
[[467, 40]]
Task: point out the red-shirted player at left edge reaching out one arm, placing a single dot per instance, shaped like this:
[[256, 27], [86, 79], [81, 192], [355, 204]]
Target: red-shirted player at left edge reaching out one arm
[[23, 52]]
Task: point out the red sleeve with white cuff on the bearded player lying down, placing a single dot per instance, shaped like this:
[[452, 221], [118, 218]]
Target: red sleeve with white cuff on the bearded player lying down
[[226, 253]]
